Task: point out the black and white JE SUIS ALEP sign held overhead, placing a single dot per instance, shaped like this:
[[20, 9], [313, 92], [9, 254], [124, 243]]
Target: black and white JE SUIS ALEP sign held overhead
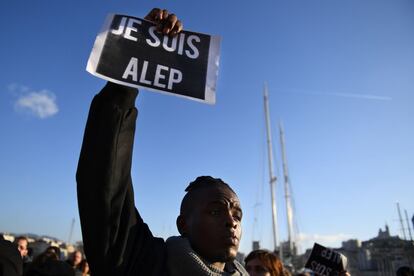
[[129, 51]]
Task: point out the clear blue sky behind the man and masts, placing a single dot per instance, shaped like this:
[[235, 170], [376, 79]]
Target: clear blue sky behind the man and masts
[[340, 77]]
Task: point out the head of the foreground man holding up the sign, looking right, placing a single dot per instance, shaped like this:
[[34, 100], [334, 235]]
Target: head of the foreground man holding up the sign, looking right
[[210, 218]]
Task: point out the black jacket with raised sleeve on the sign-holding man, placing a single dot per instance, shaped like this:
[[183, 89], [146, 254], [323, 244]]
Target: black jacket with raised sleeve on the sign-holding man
[[116, 240]]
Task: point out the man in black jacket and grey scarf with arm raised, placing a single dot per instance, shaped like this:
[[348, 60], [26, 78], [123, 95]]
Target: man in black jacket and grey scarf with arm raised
[[116, 240]]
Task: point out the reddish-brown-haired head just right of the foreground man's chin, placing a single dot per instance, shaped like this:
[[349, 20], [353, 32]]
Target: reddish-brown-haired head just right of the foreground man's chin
[[263, 263]]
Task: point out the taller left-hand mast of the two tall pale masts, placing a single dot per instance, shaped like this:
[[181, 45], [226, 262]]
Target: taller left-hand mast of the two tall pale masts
[[271, 174]]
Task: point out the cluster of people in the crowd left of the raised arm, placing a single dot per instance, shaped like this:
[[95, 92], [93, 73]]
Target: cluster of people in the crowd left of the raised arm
[[15, 259]]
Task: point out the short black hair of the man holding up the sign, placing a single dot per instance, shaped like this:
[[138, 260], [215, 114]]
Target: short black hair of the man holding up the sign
[[198, 184]]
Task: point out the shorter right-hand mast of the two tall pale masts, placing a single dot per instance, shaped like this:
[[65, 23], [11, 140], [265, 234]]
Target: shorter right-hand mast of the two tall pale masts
[[289, 211]]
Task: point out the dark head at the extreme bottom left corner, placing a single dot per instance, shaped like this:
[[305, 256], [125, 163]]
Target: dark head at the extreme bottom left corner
[[11, 262]]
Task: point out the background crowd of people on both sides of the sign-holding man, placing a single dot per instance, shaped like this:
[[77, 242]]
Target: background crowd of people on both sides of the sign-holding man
[[16, 260]]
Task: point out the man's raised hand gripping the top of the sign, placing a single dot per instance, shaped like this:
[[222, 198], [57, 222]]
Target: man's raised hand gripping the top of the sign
[[166, 23]]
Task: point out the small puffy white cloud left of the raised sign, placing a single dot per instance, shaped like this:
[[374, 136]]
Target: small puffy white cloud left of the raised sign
[[41, 104]]
